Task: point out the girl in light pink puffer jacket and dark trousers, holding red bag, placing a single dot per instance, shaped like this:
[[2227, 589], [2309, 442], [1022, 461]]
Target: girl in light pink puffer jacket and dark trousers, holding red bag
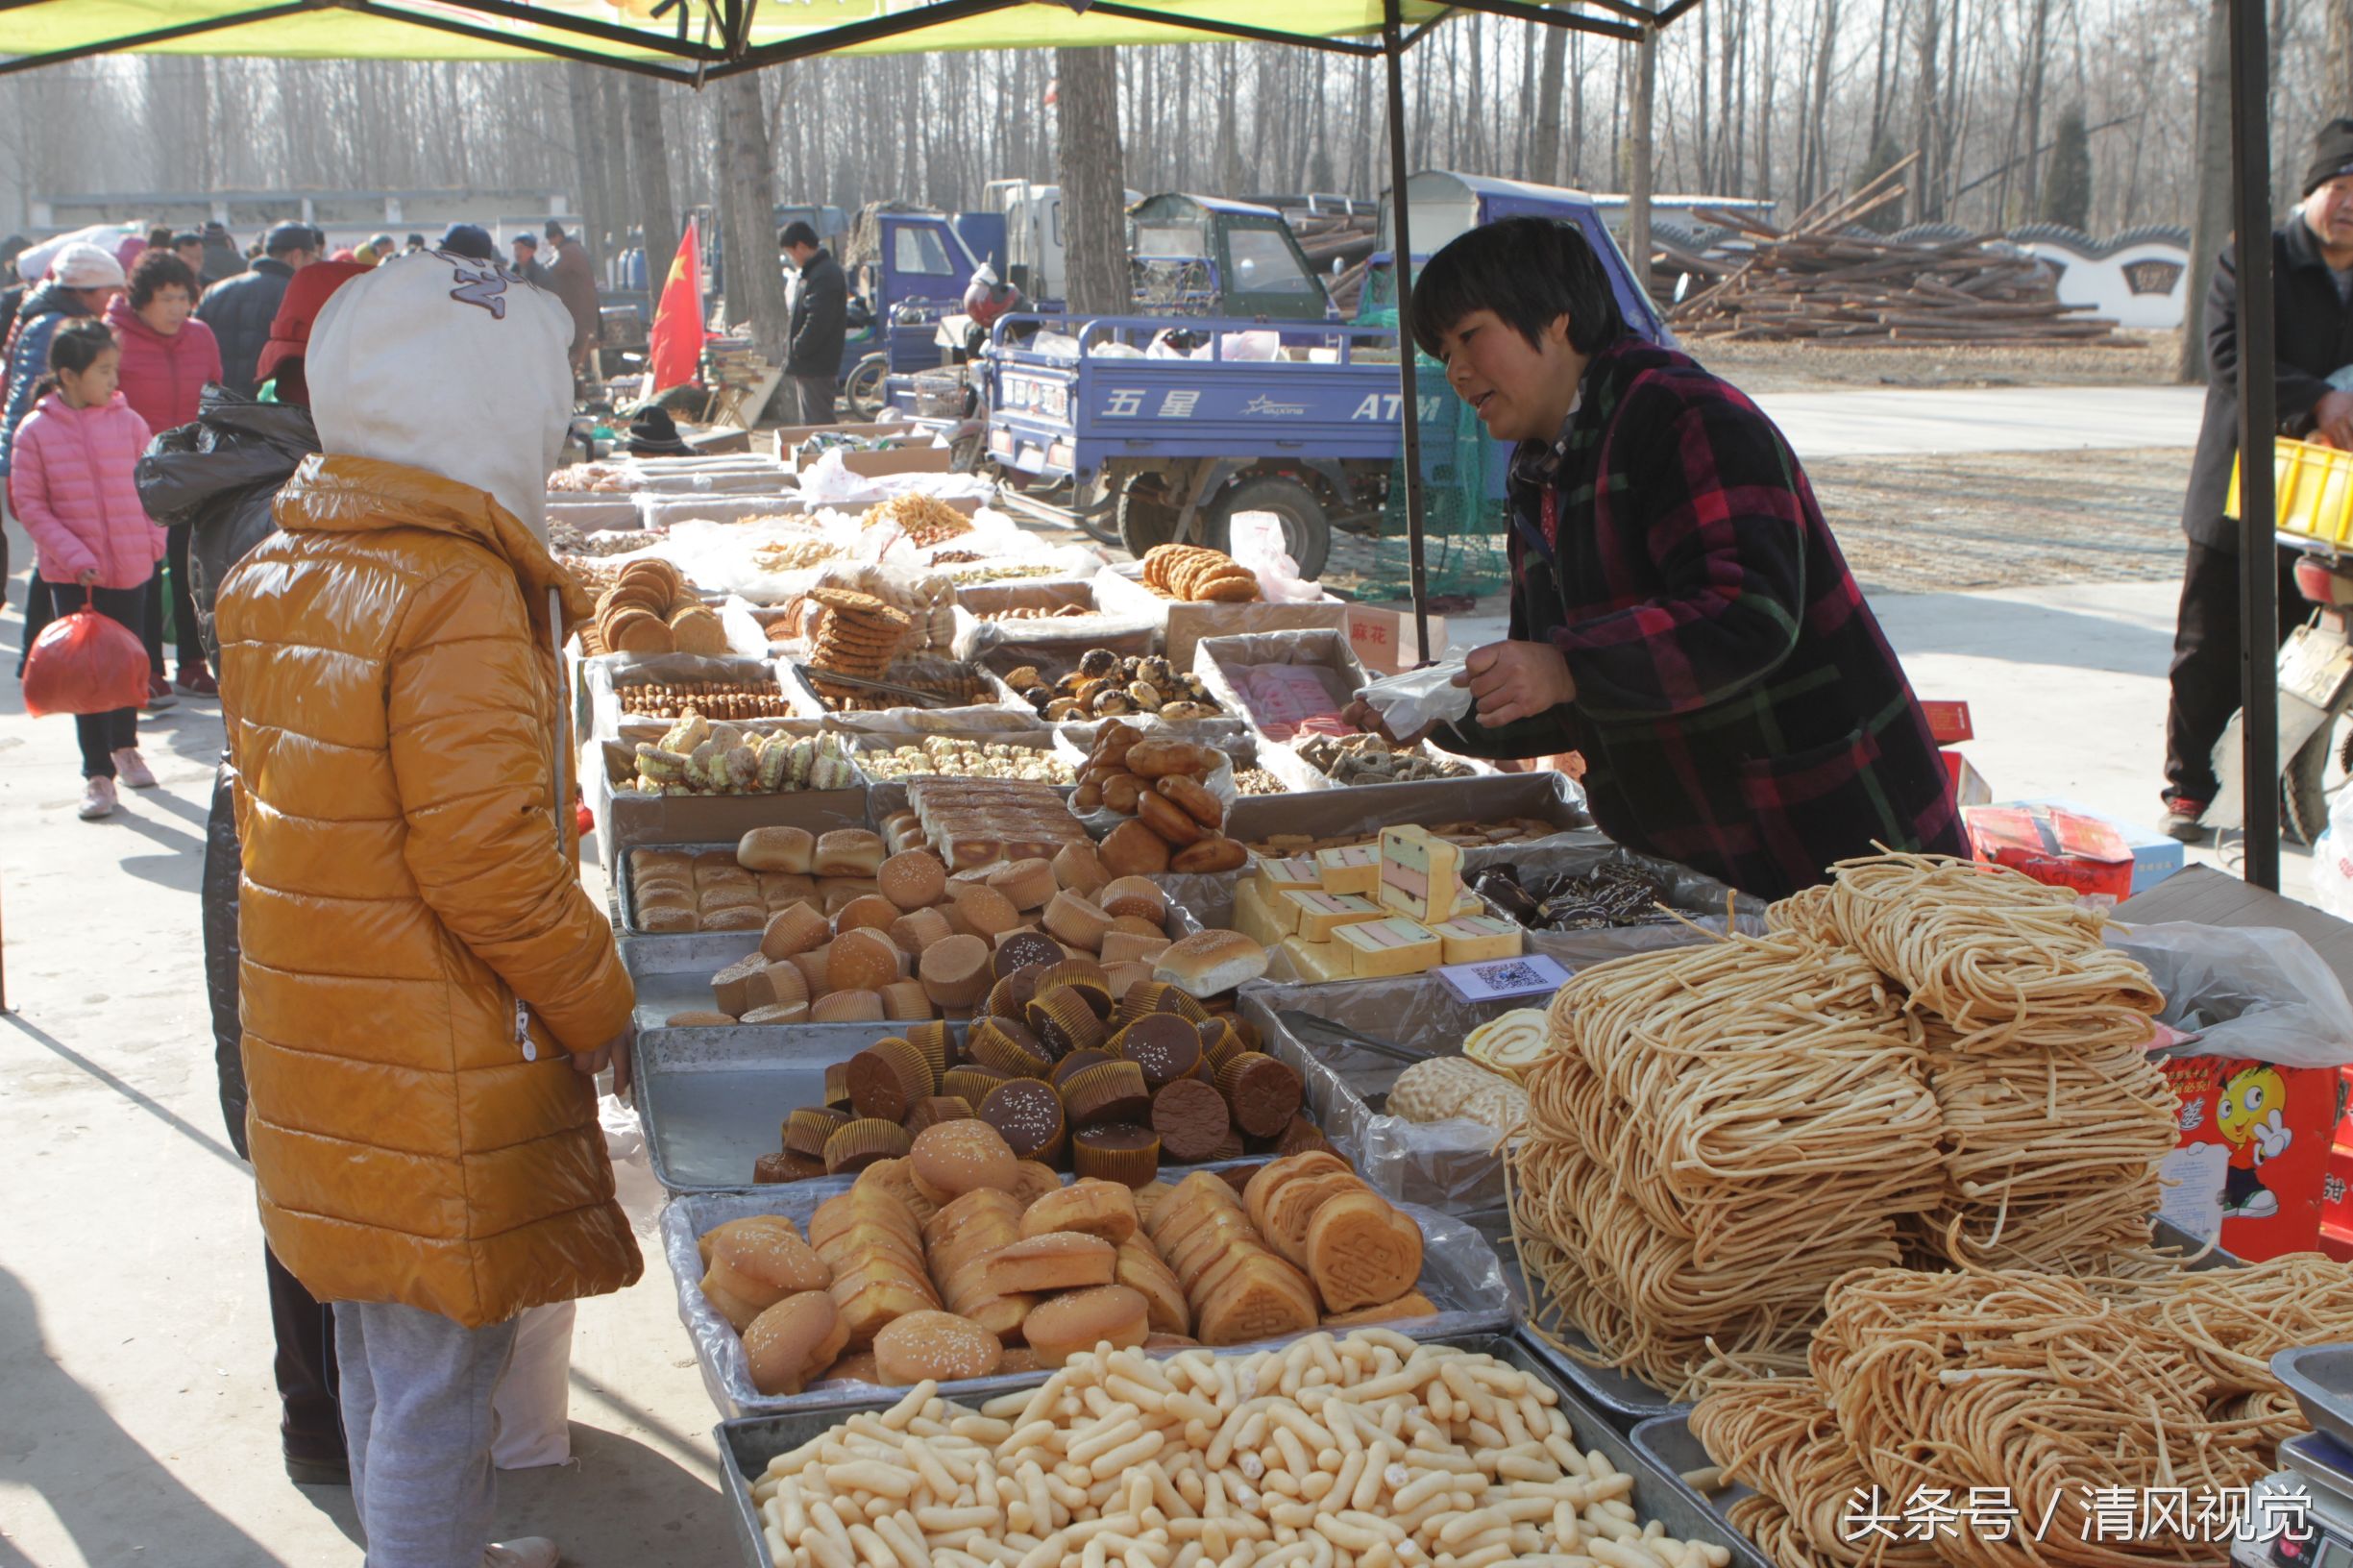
[[72, 484]]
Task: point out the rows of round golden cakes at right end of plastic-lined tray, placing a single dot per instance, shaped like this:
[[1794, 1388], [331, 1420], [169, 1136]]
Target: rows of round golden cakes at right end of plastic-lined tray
[[1302, 1244]]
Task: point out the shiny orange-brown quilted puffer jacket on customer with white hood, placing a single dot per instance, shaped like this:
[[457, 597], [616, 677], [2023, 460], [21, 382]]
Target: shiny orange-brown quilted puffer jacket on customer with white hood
[[420, 952]]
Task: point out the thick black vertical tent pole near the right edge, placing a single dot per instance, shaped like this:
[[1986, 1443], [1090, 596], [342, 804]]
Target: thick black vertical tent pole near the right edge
[[2258, 423]]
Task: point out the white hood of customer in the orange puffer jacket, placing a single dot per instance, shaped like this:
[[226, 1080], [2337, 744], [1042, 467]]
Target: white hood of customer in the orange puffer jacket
[[451, 366]]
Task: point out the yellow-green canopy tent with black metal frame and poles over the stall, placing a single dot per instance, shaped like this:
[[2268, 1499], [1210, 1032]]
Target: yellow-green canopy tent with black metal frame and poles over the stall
[[698, 41]]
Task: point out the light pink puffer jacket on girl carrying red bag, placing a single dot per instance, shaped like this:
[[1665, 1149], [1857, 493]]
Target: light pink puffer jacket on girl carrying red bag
[[72, 484]]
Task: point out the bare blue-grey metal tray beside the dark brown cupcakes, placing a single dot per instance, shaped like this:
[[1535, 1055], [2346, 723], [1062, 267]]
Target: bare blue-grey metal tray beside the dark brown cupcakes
[[714, 1101]]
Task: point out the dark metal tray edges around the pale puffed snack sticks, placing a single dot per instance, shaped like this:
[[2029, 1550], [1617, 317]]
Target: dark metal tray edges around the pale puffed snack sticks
[[1658, 1494]]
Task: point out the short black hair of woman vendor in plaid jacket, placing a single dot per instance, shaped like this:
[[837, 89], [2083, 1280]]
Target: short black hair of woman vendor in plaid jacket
[[1526, 270]]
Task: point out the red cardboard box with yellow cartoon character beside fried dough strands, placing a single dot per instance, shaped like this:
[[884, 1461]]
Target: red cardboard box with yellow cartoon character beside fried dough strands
[[2253, 1162]]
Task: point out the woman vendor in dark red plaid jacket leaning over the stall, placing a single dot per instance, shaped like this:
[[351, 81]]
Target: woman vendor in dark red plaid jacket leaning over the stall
[[1681, 613]]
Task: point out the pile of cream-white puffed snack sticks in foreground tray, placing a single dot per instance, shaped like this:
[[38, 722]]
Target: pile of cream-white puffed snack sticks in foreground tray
[[1333, 1454]]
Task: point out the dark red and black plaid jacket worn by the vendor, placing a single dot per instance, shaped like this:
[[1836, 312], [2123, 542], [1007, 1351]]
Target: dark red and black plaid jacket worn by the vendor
[[1735, 698]]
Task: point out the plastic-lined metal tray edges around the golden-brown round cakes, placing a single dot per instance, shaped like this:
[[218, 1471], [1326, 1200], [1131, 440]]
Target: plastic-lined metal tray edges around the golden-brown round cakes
[[1460, 1273]]
